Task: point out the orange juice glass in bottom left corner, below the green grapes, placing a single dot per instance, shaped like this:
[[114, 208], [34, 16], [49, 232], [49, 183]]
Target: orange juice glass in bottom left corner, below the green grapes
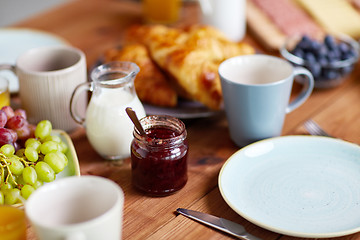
[[12, 223]]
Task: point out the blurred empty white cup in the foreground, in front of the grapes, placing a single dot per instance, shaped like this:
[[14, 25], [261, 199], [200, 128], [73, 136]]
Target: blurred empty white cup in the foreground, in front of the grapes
[[77, 208]]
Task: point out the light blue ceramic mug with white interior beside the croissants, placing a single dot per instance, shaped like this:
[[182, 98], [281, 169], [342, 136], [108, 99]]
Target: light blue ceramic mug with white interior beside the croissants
[[256, 91]]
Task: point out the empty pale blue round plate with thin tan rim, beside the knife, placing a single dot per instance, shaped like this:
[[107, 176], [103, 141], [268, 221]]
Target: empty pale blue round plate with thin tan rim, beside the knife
[[303, 186]]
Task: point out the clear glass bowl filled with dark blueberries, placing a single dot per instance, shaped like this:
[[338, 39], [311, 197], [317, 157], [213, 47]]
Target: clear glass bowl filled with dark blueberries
[[329, 59]]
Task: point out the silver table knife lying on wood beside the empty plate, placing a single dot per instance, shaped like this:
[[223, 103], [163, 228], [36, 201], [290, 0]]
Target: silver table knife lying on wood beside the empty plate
[[221, 224]]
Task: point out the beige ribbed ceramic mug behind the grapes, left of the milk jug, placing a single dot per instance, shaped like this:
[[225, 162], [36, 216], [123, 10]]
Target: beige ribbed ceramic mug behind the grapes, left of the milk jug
[[47, 77]]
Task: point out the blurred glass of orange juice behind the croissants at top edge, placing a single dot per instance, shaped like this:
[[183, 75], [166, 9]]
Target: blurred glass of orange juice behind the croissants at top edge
[[161, 11]]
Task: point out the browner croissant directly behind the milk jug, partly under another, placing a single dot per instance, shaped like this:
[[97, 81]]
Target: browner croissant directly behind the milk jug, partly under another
[[151, 84]]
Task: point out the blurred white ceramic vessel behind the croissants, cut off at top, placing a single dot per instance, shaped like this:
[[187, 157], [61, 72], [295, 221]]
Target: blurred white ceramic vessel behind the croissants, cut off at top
[[229, 16]]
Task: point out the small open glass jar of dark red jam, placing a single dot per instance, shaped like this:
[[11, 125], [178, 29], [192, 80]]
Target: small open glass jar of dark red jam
[[159, 159]]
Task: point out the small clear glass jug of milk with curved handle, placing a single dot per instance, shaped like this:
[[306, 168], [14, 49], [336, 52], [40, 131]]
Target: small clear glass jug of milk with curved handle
[[108, 127]]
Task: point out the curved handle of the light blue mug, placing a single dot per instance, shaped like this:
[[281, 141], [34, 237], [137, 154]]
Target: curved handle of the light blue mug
[[306, 91]]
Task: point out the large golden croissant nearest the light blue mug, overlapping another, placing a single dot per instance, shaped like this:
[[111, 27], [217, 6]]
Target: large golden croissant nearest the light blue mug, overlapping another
[[191, 58]]
